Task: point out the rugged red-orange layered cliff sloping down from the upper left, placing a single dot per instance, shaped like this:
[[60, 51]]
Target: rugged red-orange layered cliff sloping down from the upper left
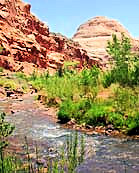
[[27, 42]]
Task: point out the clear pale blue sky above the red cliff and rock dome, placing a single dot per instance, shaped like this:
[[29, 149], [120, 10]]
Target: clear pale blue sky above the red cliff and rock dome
[[65, 16]]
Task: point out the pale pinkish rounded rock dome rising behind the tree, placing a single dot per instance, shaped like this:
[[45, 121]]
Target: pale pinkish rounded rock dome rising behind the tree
[[95, 33]]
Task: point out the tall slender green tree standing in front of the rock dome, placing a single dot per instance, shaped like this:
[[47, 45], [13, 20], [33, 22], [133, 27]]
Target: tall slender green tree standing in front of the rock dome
[[120, 51]]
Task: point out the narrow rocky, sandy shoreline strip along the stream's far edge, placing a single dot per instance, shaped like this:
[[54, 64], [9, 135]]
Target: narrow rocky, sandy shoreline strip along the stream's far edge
[[51, 113]]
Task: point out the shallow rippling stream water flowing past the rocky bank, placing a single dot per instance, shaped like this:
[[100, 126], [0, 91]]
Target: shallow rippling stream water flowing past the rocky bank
[[104, 154]]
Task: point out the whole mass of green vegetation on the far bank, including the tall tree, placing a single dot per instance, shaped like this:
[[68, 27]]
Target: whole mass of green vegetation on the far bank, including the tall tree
[[93, 97]]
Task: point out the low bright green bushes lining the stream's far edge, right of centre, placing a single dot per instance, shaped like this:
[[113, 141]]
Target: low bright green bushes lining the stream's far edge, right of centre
[[124, 103]]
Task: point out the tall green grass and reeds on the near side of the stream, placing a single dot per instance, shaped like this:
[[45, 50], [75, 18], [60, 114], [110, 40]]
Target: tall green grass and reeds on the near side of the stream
[[70, 156]]
